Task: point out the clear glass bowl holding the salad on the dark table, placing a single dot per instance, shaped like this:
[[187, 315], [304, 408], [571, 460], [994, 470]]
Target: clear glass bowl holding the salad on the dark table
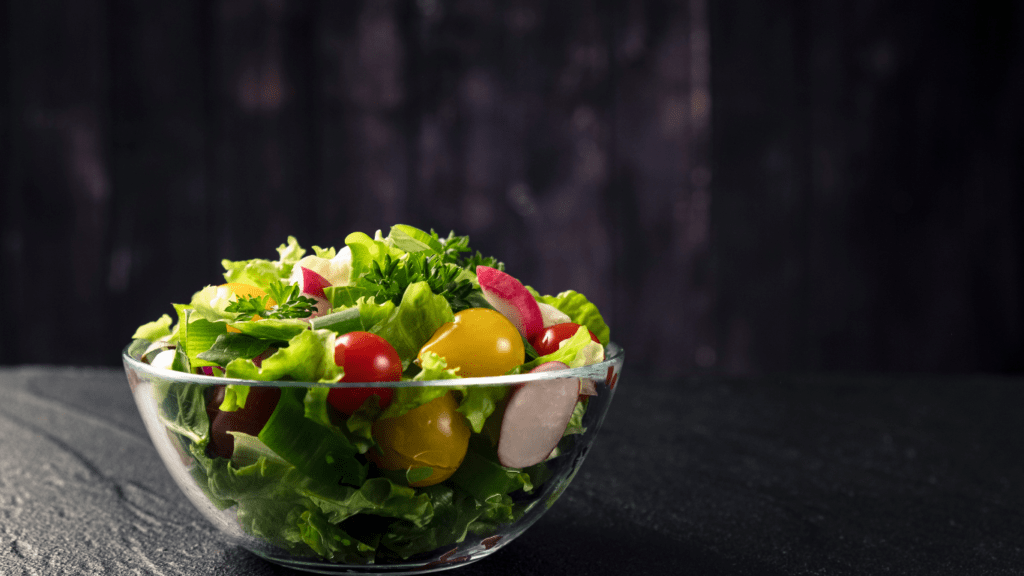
[[370, 521]]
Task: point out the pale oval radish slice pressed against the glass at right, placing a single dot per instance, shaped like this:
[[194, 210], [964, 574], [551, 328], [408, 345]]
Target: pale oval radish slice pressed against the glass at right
[[536, 419]]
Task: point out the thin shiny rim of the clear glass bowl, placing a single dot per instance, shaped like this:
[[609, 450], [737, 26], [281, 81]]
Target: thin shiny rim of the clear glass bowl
[[614, 354]]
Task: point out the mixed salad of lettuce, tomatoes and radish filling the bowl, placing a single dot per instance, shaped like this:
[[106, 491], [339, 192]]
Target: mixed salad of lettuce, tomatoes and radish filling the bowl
[[376, 473]]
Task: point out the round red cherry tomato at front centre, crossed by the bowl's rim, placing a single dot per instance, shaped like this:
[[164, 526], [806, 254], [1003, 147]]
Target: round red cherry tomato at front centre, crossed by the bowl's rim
[[366, 358]]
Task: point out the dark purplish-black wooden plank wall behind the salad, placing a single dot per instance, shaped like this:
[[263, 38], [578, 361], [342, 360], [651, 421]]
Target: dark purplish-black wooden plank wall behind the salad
[[747, 187]]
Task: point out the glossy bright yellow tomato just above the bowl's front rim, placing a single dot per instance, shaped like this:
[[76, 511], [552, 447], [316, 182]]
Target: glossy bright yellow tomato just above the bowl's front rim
[[480, 343]]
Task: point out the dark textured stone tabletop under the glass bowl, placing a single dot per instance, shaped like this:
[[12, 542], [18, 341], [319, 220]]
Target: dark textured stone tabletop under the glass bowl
[[710, 475]]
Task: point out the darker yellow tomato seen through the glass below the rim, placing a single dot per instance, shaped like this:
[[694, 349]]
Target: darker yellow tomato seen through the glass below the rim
[[434, 435]]
